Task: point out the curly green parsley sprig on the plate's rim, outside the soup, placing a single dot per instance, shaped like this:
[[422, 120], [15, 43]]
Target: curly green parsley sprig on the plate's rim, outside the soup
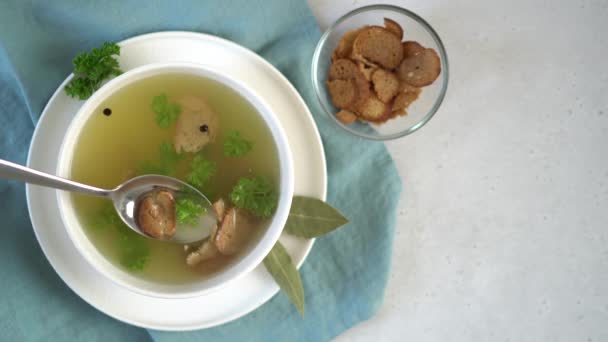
[[92, 68]]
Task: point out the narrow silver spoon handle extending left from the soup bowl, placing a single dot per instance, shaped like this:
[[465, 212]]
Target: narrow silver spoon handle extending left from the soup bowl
[[18, 172]]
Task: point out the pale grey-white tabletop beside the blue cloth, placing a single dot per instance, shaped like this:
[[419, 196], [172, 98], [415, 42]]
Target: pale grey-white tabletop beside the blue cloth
[[502, 230]]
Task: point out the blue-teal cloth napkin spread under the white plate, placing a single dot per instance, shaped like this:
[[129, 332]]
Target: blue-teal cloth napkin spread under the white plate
[[346, 272]]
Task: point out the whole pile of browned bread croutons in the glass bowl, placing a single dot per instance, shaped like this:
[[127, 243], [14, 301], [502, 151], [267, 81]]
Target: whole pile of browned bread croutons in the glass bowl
[[375, 77]]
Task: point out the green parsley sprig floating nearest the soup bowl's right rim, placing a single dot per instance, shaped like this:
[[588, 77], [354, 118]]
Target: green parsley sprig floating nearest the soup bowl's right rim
[[256, 195]]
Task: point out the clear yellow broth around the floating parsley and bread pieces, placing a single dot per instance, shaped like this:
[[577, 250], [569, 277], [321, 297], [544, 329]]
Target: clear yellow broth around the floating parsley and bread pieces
[[112, 148]]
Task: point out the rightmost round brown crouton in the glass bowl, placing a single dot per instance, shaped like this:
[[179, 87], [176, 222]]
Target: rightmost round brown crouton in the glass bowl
[[419, 67]]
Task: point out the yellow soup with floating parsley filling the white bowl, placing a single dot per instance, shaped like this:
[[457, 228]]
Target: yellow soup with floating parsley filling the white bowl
[[185, 126]]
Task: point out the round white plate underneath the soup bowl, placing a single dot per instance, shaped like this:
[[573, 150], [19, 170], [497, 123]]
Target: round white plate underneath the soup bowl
[[237, 298]]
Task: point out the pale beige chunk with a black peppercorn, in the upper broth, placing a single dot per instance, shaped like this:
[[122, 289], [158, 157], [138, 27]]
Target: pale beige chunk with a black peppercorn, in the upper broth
[[197, 125]]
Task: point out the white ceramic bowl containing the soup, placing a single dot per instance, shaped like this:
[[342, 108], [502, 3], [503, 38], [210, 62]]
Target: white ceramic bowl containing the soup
[[248, 261]]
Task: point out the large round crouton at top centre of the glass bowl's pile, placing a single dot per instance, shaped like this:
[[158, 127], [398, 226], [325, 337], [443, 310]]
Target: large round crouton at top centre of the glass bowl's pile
[[378, 45]]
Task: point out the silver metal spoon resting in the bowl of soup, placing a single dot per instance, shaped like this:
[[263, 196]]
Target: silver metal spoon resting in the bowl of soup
[[125, 197]]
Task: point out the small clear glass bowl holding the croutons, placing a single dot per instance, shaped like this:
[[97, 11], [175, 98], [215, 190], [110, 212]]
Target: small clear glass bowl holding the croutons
[[416, 29]]
